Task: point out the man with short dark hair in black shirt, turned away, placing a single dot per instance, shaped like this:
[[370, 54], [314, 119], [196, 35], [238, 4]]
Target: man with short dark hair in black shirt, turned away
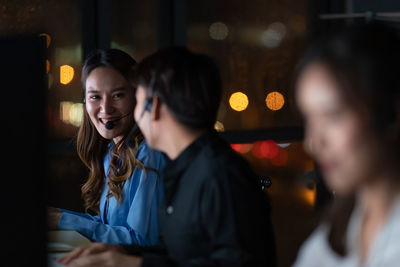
[[214, 212]]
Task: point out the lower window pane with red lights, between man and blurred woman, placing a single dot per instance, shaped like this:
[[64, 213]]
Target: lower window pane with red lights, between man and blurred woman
[[296, 193]]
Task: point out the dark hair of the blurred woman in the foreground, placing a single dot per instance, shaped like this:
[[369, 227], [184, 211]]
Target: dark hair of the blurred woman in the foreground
[[364, 61]]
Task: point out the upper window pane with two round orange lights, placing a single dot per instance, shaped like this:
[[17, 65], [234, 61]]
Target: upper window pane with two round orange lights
[[256, 45]]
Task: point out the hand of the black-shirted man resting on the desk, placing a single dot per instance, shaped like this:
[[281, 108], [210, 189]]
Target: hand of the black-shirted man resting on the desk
[[89, 250]]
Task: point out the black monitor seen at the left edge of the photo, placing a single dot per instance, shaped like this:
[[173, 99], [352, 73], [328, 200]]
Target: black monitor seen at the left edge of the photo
[[23, 132]]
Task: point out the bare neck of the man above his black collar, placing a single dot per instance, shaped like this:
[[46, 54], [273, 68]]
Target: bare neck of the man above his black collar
[[180, 138]]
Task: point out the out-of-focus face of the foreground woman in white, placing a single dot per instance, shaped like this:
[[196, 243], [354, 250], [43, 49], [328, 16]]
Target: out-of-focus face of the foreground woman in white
[[335, 134]]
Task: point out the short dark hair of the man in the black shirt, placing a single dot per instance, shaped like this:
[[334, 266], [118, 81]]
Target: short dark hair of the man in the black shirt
[[189, 84]]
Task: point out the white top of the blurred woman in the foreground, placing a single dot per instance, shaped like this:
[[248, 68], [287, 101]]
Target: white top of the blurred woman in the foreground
[[384, 252]]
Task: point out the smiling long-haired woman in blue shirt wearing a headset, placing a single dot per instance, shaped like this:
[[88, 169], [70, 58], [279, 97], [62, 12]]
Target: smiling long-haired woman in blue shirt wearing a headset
[[123, 187]]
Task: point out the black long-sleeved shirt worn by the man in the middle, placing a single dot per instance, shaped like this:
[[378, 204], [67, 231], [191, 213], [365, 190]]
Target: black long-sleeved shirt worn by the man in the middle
[[214, 212]]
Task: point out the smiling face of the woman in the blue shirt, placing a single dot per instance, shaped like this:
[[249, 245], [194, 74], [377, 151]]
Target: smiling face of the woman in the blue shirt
[[108, 97]]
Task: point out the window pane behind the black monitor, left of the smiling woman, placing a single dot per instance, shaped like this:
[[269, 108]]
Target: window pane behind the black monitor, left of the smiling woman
[[59, 21]]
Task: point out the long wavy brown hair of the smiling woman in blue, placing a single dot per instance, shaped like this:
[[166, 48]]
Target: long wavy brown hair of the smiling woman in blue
[[92, 147]]
